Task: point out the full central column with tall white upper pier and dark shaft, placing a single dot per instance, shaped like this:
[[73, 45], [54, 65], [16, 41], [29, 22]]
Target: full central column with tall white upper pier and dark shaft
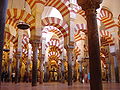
[[70, 46]]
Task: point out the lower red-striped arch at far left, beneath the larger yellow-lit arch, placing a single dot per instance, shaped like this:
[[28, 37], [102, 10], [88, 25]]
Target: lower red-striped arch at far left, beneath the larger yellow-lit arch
[[11, 38]]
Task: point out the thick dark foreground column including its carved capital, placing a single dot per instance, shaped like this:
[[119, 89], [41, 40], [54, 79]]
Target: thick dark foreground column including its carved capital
[[90, 7]]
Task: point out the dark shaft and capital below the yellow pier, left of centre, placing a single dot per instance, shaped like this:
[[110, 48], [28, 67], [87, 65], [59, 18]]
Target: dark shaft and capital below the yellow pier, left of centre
[[35, 46]]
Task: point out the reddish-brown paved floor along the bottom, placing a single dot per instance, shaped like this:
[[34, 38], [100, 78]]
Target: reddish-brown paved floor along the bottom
[[56, 86]]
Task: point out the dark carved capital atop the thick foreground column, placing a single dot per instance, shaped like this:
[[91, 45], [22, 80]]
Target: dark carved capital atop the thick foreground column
[[89, 4]]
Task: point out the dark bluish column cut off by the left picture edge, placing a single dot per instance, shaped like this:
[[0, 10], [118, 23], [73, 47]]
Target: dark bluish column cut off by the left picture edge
[[3, 7]]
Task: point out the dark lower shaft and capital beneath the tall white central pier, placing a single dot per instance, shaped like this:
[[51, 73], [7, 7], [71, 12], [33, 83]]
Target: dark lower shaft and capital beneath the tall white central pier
[[70, 57]]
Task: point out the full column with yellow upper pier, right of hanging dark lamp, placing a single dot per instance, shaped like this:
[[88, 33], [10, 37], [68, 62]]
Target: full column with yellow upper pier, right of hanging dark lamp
[[35, 39]]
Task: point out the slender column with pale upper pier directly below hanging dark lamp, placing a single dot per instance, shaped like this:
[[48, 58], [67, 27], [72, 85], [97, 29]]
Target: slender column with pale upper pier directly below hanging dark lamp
[[18, 55]]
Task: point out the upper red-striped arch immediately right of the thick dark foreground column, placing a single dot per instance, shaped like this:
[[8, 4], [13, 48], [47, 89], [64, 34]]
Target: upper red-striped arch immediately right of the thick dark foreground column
[[106, 17]]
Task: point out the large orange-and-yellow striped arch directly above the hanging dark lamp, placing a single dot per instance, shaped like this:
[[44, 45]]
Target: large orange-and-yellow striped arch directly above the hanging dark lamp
[[21, 15]]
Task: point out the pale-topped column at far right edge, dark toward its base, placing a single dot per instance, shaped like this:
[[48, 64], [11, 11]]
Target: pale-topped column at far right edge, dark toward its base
[[114, 31]]
